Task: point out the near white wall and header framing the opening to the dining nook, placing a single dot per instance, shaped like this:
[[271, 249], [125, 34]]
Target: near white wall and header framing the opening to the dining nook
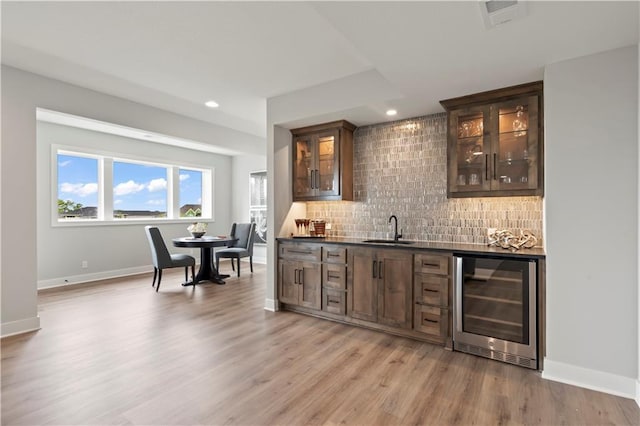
[[22, 93]]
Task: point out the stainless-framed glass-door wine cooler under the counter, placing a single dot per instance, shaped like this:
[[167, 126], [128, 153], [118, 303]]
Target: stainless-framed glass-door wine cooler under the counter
[[495, 308]]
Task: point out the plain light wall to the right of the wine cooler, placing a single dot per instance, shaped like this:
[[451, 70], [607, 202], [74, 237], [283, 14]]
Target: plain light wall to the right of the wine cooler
[[591, 166]]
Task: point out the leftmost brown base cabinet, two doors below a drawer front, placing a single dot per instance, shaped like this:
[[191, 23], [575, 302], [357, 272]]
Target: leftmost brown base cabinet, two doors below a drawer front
[[299, 275]]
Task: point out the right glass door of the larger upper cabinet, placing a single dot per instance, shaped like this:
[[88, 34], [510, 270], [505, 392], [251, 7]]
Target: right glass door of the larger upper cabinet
[[515, 149]]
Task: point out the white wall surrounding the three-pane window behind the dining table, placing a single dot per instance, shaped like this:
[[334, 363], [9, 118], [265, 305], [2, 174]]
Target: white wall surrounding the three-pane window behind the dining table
[[112, 250]]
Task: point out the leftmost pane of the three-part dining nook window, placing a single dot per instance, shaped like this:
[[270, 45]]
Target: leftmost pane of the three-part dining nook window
[[77, 187]]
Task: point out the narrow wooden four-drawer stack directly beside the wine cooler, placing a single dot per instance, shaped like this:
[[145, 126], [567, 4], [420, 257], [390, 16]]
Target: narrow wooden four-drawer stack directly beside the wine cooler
[[432, 282]]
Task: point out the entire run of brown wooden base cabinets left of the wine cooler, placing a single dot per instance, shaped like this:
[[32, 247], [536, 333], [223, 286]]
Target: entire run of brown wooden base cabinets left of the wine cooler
[[395, 290]]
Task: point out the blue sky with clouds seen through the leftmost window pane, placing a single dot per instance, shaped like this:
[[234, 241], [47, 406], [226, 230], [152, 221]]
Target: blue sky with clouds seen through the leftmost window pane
[[78, 179]]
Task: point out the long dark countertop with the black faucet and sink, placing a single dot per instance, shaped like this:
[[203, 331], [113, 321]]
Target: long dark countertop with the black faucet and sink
[[536, 252]]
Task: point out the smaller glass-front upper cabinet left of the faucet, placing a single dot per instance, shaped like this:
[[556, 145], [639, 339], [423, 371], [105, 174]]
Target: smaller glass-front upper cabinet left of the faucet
[[323, 162]]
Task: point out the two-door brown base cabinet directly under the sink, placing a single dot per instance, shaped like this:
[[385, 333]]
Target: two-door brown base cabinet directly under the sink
[[380, 286]]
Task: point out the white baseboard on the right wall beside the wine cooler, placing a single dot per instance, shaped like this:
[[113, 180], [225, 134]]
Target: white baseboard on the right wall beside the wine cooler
[[591, 379]]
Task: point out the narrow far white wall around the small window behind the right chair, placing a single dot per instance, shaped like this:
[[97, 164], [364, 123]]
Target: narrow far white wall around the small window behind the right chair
[[243, 166]]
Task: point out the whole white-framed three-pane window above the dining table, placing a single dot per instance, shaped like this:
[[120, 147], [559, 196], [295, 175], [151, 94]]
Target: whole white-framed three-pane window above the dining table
[[102, 188]]
